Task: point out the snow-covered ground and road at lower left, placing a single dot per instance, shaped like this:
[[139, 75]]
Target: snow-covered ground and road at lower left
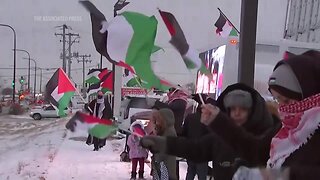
[[45, 150]]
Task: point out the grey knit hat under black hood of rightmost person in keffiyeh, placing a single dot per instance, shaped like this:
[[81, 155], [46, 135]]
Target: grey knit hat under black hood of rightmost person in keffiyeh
[[284, 81]]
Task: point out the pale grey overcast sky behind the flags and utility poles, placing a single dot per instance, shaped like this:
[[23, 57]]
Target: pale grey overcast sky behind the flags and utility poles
[[36, 21]]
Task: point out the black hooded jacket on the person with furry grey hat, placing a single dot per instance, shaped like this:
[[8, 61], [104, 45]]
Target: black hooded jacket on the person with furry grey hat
[[212, 148]]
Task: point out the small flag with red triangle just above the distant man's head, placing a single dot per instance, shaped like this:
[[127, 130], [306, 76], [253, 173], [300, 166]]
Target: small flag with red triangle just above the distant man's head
[[105, 83]]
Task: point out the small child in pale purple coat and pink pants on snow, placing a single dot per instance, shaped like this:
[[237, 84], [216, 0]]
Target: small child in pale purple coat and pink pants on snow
[[137, 153]]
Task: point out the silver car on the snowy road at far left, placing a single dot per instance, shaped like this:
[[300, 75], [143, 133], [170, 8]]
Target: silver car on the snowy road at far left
[[47, 111]]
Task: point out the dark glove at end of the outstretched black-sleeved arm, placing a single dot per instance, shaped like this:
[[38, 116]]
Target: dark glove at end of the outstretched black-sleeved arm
[[156, 144]]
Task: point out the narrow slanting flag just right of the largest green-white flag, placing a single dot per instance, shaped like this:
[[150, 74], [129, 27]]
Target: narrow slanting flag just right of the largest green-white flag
[[179, 41]]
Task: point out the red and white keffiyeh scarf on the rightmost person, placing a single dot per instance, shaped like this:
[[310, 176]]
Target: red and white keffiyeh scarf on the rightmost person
[[300, 120]]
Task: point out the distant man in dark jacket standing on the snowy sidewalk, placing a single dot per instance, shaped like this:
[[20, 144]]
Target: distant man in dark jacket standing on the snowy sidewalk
[[100, 108]]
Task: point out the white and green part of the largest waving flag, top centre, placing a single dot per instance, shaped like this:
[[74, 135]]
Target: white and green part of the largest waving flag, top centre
[[130, 42]]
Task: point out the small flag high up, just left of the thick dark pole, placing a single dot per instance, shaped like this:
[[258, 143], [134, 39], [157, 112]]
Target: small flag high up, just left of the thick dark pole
[[224, 27]]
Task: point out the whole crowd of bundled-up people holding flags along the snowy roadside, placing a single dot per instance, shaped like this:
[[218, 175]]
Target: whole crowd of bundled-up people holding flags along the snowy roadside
[[242, 134]]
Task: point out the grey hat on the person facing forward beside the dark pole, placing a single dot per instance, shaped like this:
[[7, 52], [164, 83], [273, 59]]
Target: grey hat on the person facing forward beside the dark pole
[[238, 98]]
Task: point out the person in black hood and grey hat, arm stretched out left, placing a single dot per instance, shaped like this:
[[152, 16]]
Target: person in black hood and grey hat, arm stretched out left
[[247, 108]]
